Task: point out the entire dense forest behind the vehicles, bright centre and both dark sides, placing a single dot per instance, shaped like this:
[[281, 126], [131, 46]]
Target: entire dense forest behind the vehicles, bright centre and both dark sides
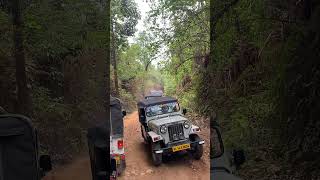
[[252, 64]]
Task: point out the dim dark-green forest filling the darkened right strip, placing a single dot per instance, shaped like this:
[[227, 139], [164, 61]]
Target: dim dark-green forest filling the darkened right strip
[[263, 82]]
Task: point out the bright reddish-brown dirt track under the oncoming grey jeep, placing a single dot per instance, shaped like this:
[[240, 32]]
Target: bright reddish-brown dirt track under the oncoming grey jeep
[[139, 162]]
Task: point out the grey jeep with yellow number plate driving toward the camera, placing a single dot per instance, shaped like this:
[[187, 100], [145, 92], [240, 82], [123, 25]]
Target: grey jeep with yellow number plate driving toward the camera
[[166, 130]]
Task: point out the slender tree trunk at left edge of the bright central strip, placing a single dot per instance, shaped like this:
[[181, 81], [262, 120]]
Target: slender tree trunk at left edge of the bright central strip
[[114, 62]]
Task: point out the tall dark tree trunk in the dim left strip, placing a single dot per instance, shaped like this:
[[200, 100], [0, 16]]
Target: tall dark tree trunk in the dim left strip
[[24, 99]]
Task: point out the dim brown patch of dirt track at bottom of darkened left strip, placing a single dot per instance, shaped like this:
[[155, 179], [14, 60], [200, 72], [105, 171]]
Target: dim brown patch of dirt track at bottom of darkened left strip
[[79, 169]]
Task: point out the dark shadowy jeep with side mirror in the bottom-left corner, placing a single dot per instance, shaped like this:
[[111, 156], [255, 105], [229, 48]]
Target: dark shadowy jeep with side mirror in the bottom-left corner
[[19, 150]]
